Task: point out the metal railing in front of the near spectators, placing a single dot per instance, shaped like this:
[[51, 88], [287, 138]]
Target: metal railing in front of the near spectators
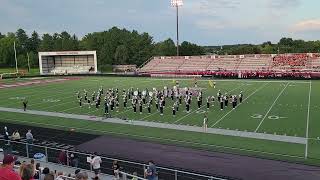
[[52, 153]]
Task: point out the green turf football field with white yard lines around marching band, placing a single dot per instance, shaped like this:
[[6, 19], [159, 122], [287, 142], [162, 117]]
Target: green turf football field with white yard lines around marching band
[[286, 108]]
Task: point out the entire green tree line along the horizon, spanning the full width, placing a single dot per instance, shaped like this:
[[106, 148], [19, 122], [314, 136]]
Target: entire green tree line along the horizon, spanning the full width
[[121, 46]]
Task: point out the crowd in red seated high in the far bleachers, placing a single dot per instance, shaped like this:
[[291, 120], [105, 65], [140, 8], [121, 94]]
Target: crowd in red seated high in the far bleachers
[[290, 60]]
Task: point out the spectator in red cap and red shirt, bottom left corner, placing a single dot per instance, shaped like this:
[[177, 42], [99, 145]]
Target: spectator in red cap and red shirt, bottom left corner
[[6, 171]]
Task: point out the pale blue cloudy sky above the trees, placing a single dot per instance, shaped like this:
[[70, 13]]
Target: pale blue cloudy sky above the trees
[[205, 22]]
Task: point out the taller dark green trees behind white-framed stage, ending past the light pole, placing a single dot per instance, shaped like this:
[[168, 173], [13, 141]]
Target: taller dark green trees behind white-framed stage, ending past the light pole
[[114, 46]]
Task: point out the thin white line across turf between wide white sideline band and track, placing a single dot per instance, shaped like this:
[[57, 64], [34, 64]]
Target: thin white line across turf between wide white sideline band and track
[[163, 139]]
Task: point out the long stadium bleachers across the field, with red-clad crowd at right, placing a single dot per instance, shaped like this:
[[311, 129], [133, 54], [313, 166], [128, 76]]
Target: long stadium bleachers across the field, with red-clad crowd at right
[[287, 63]]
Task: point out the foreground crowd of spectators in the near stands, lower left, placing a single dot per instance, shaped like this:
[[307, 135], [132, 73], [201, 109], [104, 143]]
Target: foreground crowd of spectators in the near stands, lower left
[[34, 171]]
